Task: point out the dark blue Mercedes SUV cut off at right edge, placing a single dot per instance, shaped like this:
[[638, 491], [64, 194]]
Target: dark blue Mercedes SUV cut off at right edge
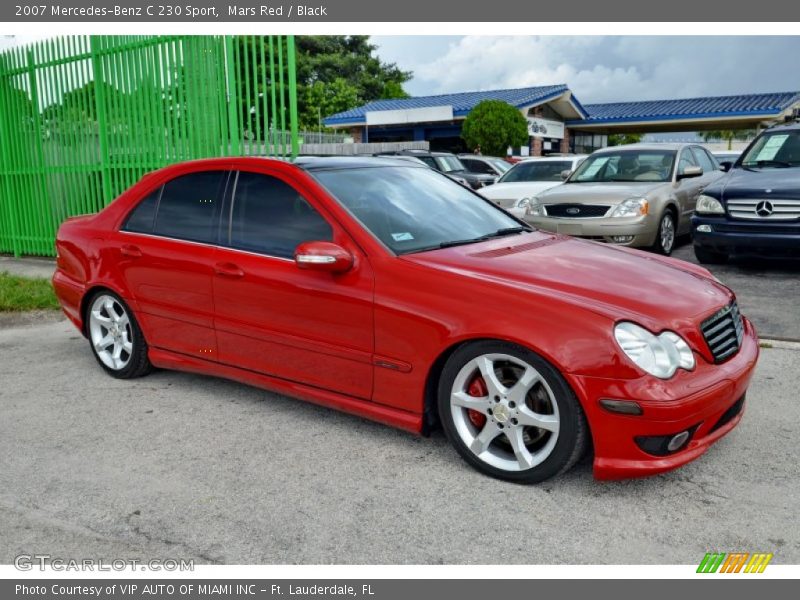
[[755, 208]]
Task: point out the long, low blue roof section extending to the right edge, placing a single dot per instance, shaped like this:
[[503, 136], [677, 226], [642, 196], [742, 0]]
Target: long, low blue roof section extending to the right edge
[[689, 108]]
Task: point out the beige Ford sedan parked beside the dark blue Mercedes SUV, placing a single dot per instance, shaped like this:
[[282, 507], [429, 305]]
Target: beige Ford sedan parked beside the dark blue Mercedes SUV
[[640, 195]]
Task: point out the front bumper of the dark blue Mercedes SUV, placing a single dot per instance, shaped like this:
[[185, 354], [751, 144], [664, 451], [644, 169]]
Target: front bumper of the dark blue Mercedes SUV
[[751, 237]]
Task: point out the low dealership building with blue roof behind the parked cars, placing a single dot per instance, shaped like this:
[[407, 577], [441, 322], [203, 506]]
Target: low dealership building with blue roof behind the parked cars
[[557, 121]]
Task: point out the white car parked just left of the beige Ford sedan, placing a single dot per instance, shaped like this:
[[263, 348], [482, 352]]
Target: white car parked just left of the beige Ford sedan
[[514, 190]]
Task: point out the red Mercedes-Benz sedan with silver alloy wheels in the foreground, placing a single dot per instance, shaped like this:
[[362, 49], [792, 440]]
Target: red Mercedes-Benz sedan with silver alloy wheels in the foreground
[[382, 288]]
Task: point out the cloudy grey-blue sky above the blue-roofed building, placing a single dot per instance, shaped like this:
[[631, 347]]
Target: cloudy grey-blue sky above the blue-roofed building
[[598, 68]]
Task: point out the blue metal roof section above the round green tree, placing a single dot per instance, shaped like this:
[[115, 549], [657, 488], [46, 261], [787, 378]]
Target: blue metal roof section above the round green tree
[[462, 102]]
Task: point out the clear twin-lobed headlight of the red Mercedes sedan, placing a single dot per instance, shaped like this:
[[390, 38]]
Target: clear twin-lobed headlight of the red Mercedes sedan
[[660, 355]]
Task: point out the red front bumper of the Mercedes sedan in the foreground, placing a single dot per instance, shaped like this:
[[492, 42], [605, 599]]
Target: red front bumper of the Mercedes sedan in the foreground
[[701, 401]]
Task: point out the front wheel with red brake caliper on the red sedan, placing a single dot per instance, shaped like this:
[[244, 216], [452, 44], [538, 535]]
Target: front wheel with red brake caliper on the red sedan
[[491, 394]]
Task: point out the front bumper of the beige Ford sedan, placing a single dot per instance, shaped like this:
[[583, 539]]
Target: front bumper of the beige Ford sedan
[[643, 229]]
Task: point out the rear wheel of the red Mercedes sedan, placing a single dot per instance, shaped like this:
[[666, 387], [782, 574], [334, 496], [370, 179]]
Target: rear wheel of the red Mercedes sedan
[[115, 337]]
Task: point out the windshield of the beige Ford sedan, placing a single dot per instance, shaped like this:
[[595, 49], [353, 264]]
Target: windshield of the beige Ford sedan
[[625, 165]]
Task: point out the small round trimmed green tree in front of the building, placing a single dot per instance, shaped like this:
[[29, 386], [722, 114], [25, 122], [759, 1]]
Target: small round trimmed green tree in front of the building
[[494, 125]]
